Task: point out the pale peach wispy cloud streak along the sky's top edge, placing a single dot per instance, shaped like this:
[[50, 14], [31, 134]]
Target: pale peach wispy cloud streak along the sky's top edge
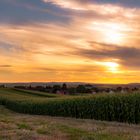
[[94, 6]]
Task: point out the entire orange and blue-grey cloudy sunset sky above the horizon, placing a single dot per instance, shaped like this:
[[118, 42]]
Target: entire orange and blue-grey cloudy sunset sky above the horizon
[[95, 41]]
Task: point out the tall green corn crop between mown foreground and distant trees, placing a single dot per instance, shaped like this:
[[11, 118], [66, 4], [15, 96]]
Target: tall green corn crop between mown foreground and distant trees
[[117, 107]]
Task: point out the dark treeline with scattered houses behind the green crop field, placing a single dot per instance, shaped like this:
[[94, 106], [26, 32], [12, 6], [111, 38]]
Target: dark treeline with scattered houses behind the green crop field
[[80, 89]]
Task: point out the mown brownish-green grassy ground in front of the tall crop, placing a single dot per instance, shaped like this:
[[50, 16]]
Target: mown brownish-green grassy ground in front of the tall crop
[[14, 126]]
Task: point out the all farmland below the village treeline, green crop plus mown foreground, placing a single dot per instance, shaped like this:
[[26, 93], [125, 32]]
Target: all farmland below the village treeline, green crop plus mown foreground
[[40, 126]]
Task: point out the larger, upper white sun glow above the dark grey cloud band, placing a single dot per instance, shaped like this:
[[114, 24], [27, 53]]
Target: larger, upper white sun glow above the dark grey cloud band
[[110, 32]]
